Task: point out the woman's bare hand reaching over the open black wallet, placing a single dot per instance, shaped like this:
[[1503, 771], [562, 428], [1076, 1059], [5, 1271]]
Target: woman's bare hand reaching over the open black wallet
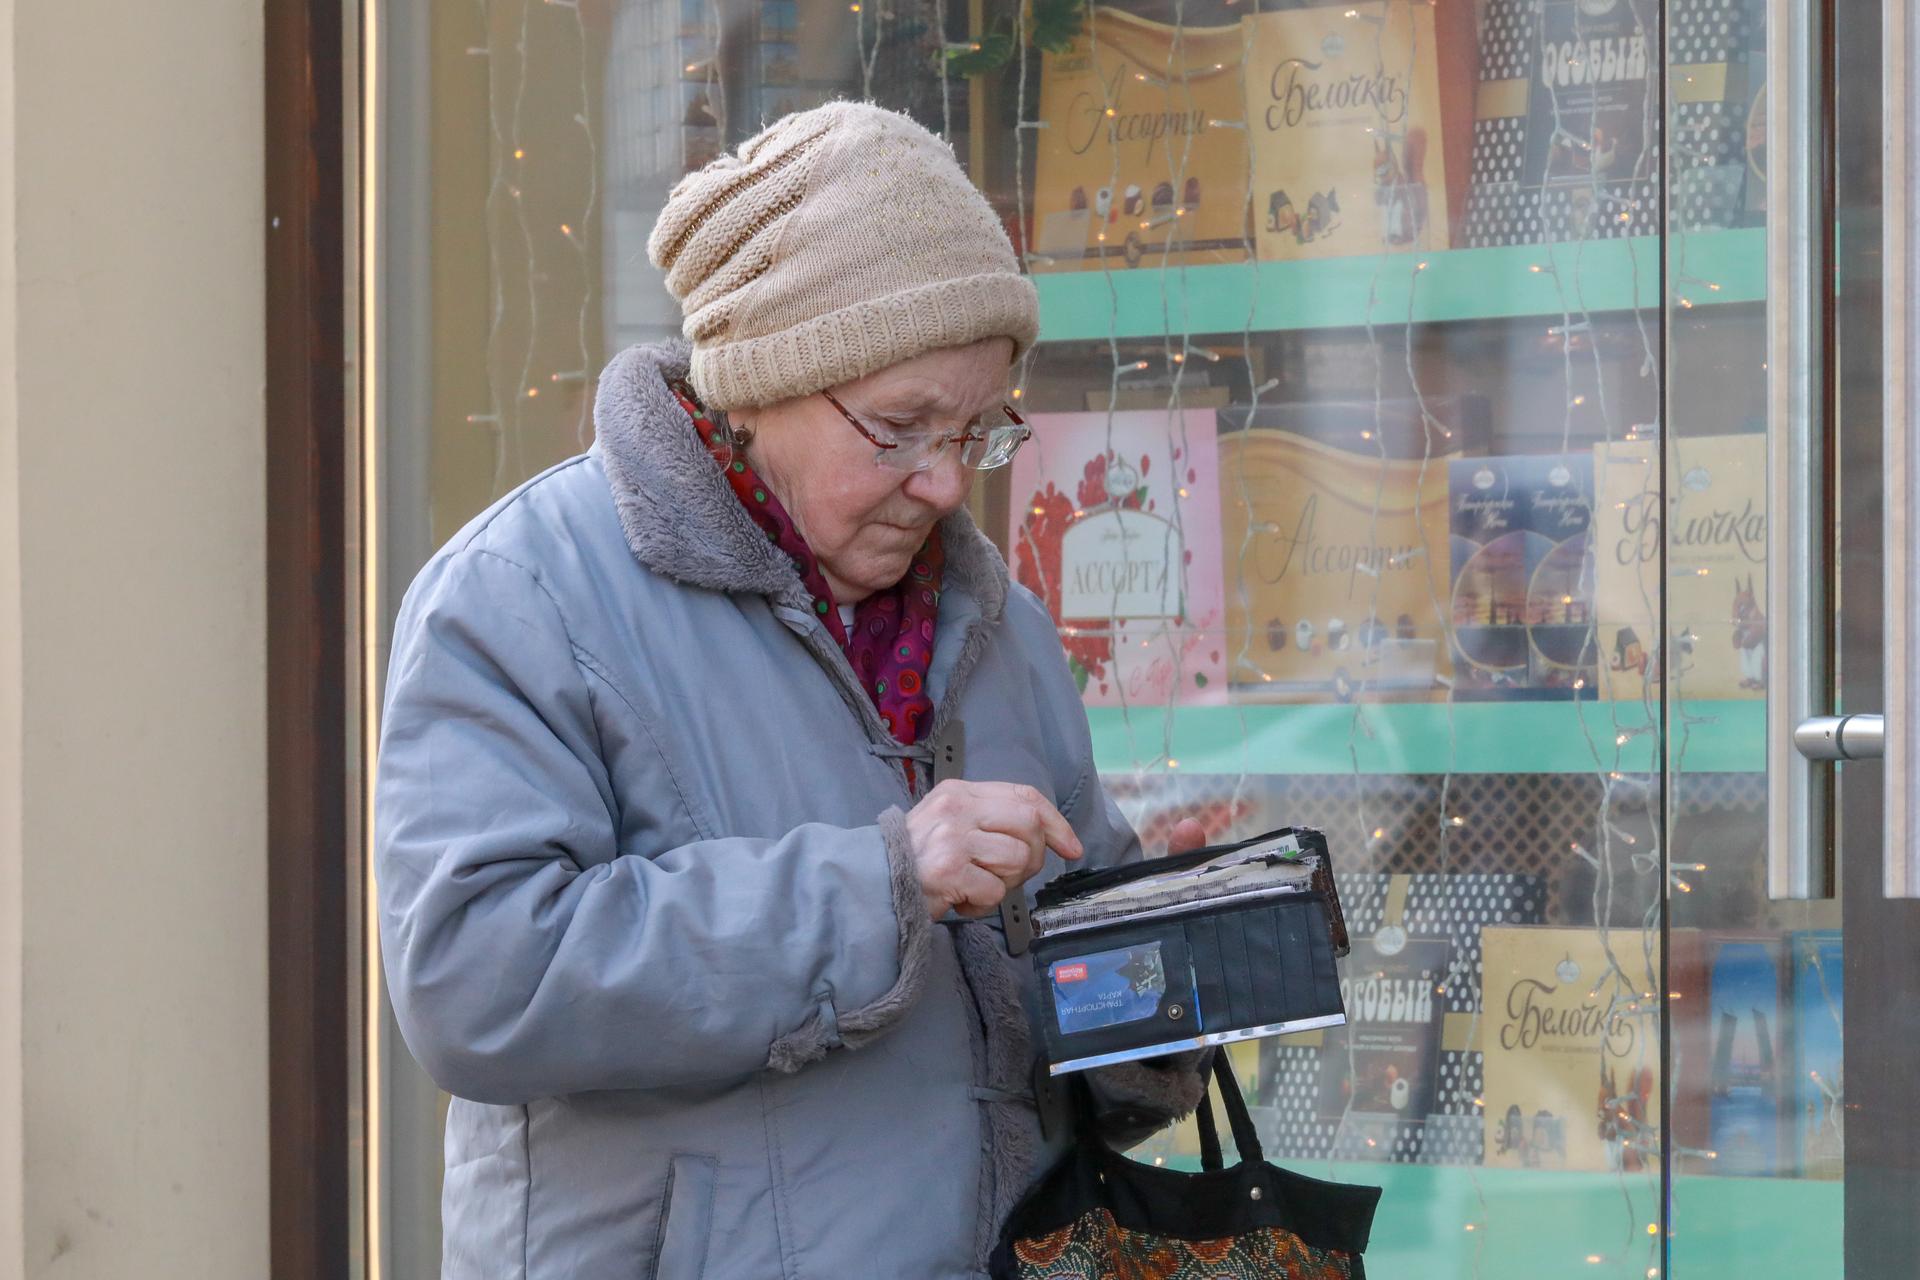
[[974, 841]]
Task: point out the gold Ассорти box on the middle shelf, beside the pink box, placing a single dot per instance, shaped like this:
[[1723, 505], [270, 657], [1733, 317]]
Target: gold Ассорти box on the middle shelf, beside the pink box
[[1337, 557]]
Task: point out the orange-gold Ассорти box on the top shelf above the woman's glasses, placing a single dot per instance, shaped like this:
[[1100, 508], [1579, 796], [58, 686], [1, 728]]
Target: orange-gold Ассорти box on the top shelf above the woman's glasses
[[1143, 158]]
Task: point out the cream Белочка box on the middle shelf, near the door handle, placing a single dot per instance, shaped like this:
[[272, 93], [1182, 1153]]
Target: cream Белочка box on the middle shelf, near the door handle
[[1716, 534]]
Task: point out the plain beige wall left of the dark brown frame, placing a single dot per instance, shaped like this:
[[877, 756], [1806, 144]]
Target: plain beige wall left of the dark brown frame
[[133, 1085]]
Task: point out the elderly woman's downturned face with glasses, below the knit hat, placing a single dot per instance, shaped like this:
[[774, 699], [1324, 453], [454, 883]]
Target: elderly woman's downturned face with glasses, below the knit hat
[[861, 519]]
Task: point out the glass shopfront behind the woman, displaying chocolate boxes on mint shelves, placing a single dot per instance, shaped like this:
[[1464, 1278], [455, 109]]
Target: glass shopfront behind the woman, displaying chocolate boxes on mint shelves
[[1472, 364]]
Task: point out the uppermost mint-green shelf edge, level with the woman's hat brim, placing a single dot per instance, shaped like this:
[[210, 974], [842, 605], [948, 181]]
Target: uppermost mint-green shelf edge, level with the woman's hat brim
[[1347, 293]]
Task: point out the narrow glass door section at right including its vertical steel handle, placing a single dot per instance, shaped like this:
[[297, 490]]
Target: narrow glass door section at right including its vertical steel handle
[[1756, 974]]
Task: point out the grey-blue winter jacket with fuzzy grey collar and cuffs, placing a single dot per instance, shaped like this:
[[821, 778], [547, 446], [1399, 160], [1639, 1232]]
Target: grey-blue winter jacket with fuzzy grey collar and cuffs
[[648, 899]]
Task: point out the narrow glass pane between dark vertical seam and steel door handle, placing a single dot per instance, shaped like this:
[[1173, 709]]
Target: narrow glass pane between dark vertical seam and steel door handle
[[1756, 985]]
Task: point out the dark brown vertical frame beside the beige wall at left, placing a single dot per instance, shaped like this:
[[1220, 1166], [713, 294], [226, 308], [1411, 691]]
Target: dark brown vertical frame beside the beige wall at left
[[308, 642]]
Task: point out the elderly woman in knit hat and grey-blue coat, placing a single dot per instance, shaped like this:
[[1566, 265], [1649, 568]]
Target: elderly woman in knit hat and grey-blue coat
[[673, 897]]
